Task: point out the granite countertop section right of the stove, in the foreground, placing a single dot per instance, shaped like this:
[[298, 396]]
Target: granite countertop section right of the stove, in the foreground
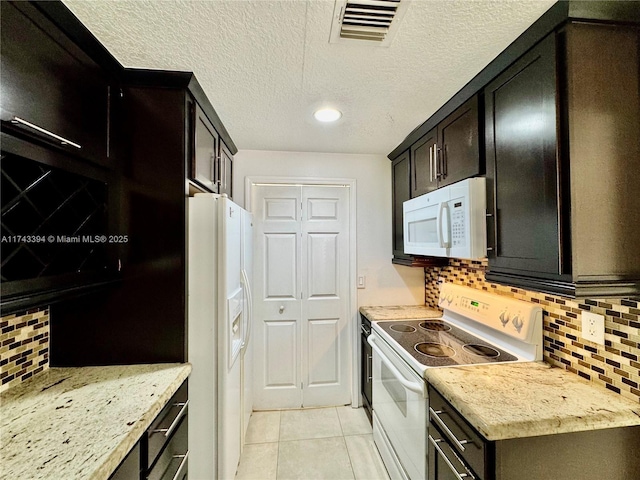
[[515, 400]]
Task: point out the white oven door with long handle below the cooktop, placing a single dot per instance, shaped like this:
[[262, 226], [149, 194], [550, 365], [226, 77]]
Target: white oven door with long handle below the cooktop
[[400, 404]]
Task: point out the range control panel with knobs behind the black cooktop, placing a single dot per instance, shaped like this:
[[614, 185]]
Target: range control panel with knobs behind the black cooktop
[[512, 317]]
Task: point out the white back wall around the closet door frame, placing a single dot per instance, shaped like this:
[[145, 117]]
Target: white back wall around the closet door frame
[[386, 284]]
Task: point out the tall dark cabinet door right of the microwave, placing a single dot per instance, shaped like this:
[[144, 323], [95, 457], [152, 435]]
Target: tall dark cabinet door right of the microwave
[[522, 166]]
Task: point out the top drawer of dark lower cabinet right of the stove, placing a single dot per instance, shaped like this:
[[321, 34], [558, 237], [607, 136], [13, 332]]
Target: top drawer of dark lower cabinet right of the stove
[[452, 424]]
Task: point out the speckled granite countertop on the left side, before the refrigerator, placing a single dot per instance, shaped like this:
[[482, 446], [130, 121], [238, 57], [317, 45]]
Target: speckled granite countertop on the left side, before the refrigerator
[[80, 423]]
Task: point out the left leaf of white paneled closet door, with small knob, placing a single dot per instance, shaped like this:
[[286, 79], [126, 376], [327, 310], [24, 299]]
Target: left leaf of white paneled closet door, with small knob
[[276, 335]]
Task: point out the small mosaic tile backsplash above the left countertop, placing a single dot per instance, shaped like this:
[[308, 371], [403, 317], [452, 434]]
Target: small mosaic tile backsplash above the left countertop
[[24, 346]]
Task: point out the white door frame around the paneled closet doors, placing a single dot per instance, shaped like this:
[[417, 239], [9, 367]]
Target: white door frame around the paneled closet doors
[[354, 332]]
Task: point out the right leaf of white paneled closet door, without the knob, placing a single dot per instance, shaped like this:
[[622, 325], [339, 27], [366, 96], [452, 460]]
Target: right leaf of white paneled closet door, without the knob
[[325, 296]]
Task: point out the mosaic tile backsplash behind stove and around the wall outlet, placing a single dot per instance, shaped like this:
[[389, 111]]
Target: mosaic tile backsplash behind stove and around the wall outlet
[[616, 365]]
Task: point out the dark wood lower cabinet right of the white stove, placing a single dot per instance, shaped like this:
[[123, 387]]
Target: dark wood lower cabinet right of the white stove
[[587, 455]]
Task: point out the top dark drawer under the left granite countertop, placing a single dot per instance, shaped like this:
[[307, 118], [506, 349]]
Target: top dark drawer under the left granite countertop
[[166, 423]]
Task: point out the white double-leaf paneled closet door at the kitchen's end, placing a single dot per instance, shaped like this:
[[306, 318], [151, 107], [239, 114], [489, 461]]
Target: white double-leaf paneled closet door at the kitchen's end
[[301, 324]]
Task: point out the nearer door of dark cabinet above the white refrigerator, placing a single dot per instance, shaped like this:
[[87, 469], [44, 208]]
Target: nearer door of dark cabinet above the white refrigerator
[[205, 165]]
